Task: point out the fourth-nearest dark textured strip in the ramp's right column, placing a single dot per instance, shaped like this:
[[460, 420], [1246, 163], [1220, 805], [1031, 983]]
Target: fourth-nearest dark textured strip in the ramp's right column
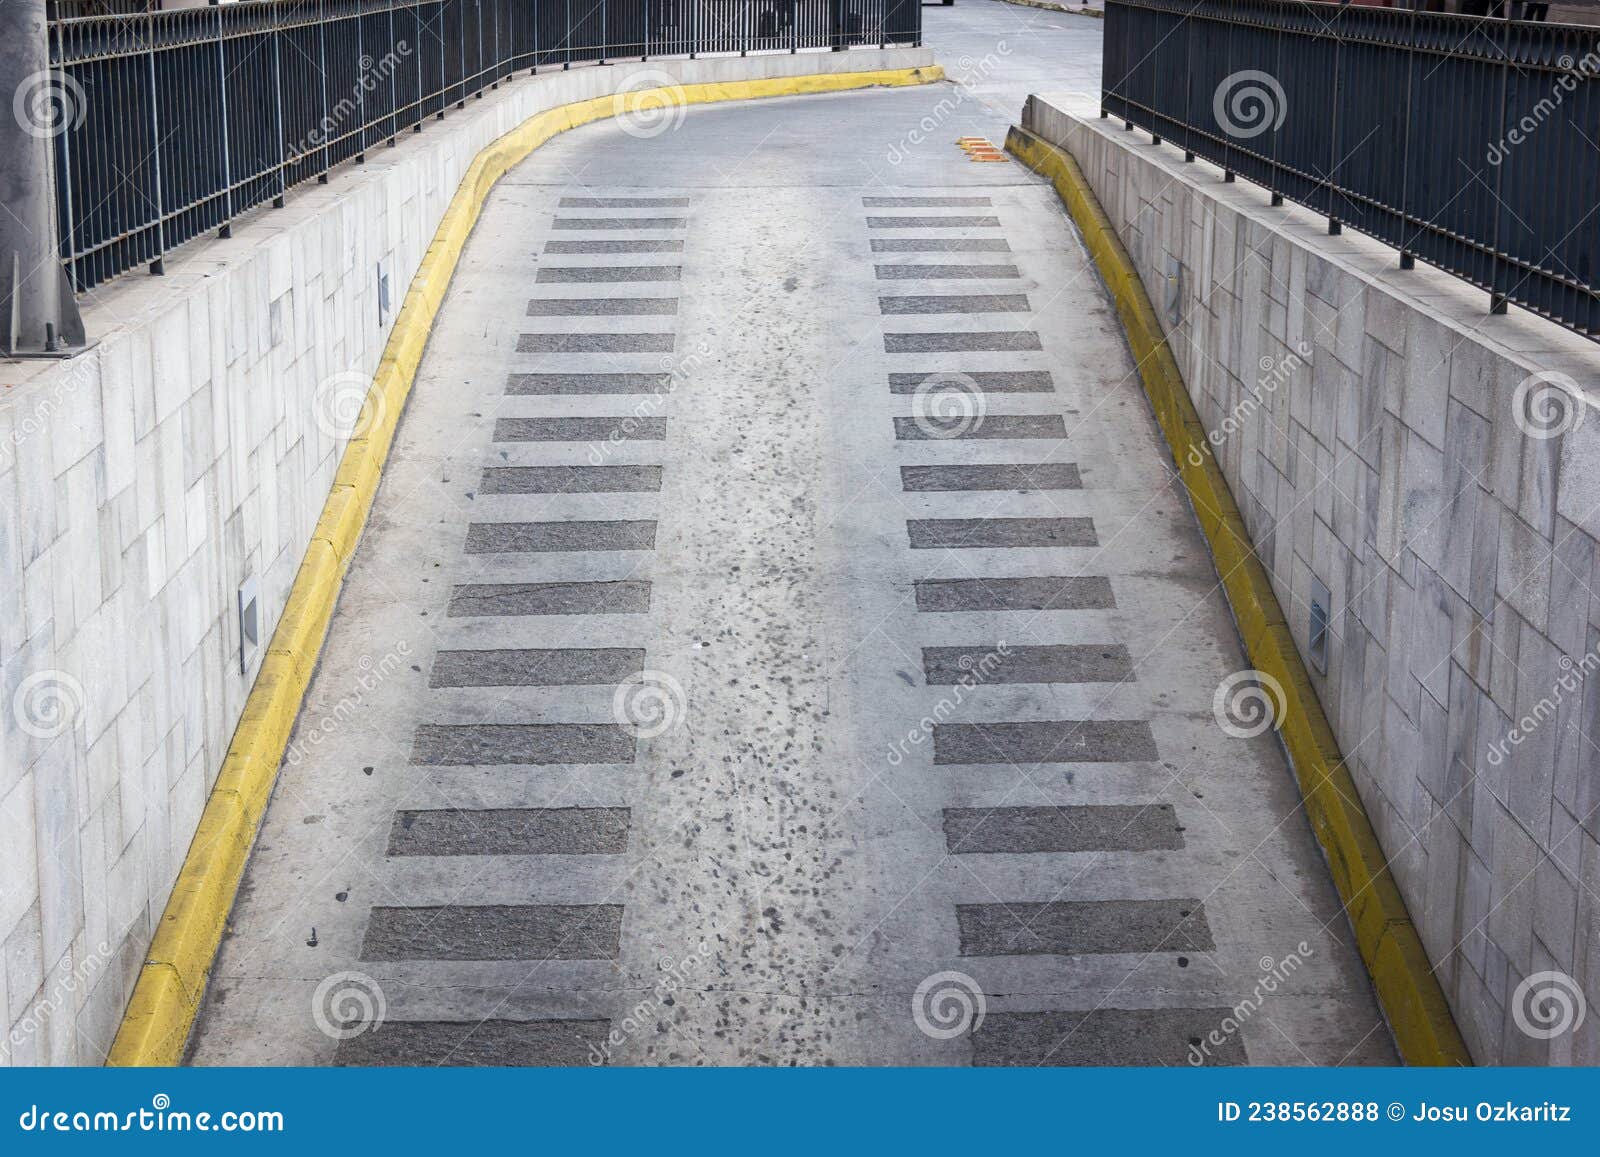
[[1047, 742]]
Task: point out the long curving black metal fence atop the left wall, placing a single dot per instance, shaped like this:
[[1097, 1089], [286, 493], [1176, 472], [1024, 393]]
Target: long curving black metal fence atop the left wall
[[174, 124]]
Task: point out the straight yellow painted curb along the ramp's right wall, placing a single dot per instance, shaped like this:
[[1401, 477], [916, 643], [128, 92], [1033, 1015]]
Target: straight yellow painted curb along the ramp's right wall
[[1407, 988]]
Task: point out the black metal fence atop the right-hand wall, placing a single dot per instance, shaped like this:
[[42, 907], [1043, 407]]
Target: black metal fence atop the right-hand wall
[[1470, 143]]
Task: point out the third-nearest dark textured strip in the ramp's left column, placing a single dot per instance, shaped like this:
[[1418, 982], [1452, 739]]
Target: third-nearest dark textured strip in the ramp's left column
[[511, 833]]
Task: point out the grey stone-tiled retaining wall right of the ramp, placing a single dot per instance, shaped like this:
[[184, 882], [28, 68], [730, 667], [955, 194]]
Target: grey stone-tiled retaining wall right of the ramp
[[1367, 422]]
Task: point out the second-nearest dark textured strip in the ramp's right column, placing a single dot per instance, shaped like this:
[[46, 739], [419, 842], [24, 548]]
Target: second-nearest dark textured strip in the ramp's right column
[[1084, 927]]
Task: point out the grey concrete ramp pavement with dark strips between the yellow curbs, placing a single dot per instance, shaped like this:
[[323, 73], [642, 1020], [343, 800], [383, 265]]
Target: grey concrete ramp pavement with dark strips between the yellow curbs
[[780, 641]]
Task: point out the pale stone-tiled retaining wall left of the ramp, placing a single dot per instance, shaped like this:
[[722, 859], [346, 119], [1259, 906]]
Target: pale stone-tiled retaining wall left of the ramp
[[142, 486]]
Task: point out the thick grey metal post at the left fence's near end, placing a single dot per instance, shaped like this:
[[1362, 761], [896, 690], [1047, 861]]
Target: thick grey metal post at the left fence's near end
[[39, 314]]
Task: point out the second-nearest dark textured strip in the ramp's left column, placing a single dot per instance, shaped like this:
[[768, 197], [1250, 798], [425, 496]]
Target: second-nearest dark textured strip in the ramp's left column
[[495, 932]]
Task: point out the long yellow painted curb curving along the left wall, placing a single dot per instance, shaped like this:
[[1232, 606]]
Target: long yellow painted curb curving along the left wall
[[167, 995]]
